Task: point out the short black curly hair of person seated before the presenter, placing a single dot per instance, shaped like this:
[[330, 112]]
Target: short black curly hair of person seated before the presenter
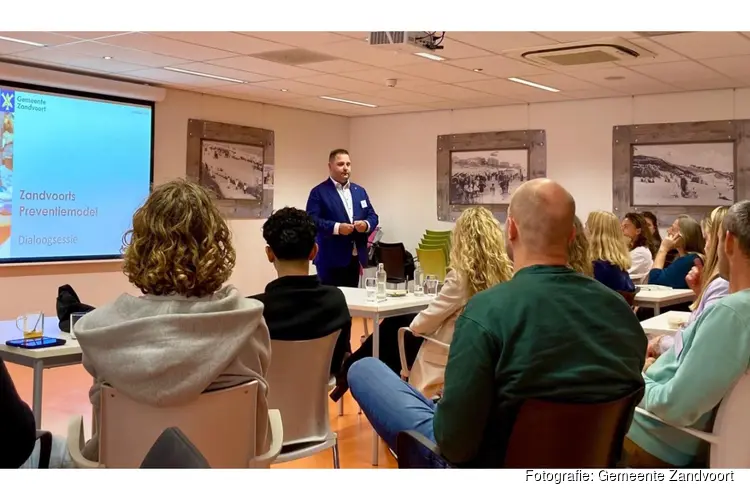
[[290, 232]]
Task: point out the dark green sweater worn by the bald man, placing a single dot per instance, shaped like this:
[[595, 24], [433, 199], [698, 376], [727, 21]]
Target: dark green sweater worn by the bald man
[[548, 333]]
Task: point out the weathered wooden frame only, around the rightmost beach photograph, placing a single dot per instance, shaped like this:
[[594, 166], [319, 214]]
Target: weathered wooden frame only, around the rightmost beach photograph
[[627, 136]]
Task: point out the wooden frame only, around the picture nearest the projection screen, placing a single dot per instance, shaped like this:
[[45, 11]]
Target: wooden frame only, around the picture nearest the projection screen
[[201, 130]]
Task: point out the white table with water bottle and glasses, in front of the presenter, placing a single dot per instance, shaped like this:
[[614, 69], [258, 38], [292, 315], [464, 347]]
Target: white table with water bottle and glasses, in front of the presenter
[[360, 307]]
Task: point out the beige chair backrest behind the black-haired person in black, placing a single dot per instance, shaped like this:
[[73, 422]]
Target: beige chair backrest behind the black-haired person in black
[[298, 387]]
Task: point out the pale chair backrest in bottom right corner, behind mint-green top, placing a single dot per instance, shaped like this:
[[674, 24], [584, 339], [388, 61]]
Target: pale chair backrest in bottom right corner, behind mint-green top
[[730, 427]]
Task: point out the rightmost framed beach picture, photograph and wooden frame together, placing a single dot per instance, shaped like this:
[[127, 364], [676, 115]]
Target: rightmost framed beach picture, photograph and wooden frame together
[[685, 167]]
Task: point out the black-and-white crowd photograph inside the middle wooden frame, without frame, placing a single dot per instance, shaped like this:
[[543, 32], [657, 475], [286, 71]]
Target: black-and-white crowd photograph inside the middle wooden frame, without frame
[[487, 177]]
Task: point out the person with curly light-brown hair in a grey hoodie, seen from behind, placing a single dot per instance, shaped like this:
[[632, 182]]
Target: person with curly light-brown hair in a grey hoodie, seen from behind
[[190, 332]]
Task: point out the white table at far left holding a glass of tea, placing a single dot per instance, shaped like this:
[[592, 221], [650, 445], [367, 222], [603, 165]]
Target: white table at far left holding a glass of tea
[[39, 359]]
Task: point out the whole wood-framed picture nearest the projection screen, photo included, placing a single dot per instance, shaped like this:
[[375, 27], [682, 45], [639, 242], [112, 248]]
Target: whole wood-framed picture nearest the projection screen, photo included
[[236, 163]]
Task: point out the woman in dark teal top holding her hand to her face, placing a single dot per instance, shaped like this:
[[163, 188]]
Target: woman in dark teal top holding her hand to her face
[[684, 236]]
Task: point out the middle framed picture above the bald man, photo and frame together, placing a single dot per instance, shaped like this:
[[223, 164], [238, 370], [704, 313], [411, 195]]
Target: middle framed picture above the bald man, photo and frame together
[[483, 169]]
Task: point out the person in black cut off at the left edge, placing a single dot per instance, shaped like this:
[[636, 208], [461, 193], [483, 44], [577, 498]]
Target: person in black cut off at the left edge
[[17, 424]]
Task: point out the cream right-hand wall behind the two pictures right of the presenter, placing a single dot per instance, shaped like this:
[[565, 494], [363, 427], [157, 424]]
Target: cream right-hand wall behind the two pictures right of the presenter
[[395, 155]]
